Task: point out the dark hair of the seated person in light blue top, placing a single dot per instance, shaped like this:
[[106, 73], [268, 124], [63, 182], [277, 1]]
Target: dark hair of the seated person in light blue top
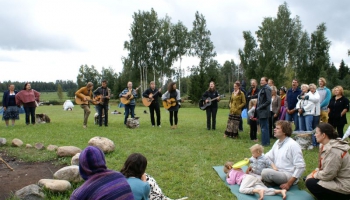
[[134, 166]]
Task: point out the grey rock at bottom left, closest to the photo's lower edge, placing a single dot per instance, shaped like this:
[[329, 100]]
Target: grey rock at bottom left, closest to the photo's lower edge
[[30, 192]]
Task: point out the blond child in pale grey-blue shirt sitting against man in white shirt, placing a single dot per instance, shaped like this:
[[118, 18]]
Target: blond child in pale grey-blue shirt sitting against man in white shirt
[[258, 161]]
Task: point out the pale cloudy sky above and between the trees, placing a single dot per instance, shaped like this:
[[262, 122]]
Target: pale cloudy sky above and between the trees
[[46, 40]]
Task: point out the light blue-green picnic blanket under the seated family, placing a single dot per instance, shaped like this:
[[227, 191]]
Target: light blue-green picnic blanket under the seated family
[[293, 193]]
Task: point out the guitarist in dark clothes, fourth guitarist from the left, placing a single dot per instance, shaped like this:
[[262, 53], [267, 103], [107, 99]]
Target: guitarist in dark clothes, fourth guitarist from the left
[[153, 93]]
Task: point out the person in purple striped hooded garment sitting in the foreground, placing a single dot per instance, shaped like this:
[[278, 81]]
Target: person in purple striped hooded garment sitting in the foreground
[[100, 183]]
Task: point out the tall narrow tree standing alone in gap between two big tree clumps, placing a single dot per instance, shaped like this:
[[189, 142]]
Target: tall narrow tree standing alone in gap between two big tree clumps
[[203, 48]]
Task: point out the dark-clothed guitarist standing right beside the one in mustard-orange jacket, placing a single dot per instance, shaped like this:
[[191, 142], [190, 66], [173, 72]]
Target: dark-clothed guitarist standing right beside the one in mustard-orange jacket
[[102, 107]]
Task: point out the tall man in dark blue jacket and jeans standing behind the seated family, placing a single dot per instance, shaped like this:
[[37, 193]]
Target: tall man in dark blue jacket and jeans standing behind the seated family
[[263, 110]]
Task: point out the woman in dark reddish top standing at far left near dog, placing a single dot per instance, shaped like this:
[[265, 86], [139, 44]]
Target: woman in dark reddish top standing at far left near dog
[[28, 98]]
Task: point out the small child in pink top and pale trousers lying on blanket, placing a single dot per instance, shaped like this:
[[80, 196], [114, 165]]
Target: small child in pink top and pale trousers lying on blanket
[[249, 184]]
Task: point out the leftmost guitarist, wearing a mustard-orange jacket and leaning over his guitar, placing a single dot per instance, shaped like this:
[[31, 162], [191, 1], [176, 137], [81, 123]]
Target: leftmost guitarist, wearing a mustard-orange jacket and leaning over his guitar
[[84, 94]]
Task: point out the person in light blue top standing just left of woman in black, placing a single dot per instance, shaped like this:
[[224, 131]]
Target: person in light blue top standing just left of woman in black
[[325, 97]]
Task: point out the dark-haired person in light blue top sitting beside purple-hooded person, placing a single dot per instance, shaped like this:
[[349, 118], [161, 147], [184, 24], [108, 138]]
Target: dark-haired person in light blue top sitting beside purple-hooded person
[[134, 170]]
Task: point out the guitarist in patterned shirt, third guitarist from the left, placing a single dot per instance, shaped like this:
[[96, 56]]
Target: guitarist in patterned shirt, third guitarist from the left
[[128, 93]]
